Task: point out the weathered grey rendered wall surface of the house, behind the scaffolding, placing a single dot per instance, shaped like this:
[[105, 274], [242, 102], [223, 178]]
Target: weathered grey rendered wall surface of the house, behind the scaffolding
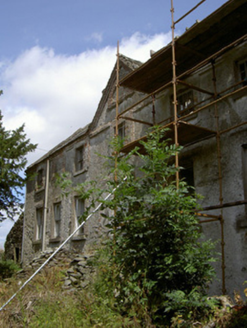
[[200, 157]]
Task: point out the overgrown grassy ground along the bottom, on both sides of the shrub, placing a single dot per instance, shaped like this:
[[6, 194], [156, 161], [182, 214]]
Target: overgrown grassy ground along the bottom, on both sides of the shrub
[[45, 304]]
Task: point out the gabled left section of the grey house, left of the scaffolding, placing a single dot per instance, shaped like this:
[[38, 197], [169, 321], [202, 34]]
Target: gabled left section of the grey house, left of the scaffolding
[[49, 217]]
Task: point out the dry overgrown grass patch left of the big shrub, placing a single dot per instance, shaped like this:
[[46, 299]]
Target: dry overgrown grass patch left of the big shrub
[[44, 303]]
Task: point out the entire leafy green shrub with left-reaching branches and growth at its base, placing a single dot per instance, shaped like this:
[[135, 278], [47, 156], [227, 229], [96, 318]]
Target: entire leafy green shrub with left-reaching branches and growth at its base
[[153, 269]]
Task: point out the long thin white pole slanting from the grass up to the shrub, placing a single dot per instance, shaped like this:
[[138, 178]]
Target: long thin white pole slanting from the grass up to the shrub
[[58, 249]]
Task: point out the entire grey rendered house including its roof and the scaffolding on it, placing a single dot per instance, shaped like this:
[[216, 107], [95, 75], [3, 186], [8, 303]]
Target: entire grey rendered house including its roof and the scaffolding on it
[[211, 106]]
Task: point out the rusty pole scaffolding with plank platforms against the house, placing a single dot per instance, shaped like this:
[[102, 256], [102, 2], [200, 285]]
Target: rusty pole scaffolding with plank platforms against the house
[[203, 44]]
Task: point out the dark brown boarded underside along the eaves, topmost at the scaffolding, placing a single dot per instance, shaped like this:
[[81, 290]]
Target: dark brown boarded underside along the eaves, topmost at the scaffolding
[[218, 30]]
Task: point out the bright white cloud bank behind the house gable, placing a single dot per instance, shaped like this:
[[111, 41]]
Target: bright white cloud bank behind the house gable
[[55, 94]]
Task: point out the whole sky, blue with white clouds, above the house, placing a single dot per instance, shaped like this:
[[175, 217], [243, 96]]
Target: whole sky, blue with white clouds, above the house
[[56, 57]]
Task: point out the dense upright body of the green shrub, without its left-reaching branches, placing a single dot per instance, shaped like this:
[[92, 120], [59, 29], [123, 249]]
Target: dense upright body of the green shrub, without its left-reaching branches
[[157, 260]]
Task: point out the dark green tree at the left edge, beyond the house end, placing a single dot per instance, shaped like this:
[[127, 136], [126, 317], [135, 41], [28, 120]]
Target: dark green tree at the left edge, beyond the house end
[[14, 147]]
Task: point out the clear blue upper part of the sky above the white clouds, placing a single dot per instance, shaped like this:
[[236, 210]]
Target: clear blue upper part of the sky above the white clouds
[[70, 27]]
